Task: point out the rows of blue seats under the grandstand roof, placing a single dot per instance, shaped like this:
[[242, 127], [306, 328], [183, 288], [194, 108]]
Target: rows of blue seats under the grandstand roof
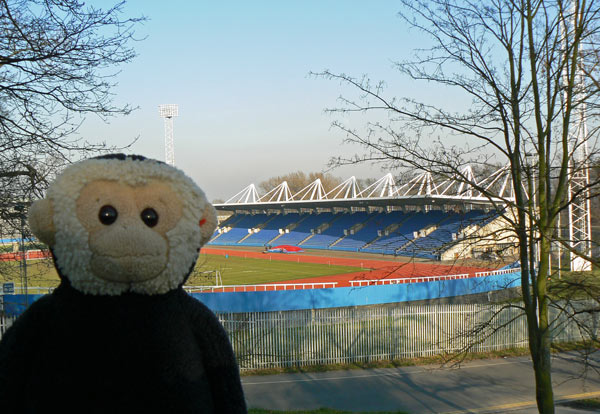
[[357, 231]]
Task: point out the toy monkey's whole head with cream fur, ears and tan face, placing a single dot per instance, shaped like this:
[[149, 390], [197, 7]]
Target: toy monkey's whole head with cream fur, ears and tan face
[[123, 223]]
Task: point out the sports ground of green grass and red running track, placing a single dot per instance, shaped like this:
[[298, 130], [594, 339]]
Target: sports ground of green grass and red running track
[[250, 267]]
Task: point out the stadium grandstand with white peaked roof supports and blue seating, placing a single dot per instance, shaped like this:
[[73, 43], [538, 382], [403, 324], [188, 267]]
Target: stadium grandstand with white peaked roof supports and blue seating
[[425, 218]]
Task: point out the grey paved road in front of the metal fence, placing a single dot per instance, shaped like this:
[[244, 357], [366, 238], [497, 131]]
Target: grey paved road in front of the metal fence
[[485, 386]]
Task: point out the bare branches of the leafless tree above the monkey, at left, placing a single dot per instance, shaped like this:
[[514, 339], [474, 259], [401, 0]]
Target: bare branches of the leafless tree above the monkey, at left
[[58, 60]]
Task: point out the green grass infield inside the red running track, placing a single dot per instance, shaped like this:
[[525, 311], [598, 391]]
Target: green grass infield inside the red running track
[[234, 271]]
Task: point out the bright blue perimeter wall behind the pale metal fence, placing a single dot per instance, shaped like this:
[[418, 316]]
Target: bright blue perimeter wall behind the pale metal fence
[[284, 300]]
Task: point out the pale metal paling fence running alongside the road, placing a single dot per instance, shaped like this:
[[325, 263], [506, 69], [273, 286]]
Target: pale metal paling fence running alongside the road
[[346, 335]]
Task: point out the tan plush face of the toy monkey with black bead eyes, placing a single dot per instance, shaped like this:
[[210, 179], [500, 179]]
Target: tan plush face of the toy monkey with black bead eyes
[[128, 228]]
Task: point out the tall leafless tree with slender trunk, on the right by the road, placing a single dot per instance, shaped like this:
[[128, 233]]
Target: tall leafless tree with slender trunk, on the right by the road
[[530, 71]]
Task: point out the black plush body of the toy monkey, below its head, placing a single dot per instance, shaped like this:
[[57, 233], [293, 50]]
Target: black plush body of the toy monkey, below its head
[[72, 352]]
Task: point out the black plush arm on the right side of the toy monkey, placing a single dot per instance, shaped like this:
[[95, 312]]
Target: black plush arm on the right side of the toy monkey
[[219, 361]]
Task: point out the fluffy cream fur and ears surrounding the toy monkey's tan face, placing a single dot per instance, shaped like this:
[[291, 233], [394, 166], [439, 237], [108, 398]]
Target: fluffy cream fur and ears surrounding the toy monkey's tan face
[[70, 240]]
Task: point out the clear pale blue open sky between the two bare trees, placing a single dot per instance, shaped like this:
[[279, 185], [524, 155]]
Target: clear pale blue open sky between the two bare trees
[[239, 71]]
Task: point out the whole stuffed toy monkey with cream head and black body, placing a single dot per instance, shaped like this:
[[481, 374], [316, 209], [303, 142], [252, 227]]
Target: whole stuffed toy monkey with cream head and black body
[[119, 334]]
